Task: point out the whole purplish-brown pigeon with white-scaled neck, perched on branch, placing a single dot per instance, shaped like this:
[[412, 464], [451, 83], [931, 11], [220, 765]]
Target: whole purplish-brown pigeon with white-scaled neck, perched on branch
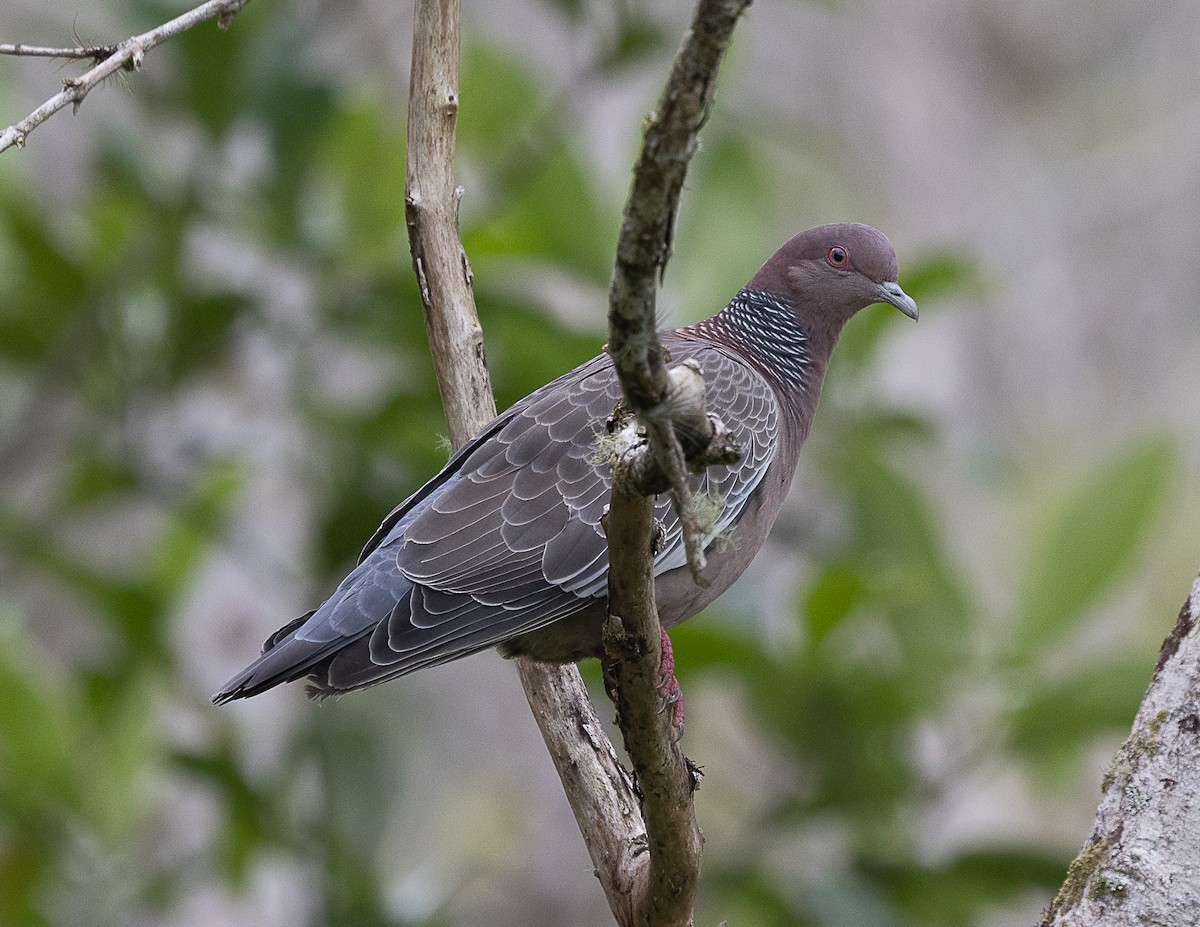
[[505, 547]]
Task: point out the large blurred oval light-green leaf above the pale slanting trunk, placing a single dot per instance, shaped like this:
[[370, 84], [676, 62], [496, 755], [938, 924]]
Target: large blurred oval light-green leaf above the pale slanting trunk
[[1093, 542]]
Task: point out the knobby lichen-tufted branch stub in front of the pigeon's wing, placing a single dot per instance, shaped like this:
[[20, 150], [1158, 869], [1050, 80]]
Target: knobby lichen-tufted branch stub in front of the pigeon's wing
[[655, 451]]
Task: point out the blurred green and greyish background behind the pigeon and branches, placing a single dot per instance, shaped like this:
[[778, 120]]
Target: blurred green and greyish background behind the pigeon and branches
[[214, 385]]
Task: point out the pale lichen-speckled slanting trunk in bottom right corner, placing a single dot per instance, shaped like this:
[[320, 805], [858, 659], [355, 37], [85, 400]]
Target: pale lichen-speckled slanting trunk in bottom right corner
[[1136, 866]]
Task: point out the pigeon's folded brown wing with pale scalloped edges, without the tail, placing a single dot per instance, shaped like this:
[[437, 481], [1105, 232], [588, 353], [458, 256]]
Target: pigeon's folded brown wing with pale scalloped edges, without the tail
[[514, 541]]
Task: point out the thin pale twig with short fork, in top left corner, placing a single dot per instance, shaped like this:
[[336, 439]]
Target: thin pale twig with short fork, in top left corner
[[129, 53]]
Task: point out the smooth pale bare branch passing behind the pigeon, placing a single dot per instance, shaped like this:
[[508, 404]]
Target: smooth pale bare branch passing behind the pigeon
[[597, 787]]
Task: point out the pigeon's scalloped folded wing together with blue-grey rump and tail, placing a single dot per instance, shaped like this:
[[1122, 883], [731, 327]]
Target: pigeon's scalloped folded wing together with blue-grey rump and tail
[[507, 539]]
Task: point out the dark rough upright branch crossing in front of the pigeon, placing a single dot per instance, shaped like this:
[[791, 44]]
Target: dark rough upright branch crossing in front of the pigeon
[[659, 399]]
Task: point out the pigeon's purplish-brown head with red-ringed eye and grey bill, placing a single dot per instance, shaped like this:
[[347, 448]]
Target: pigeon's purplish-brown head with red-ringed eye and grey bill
[[830, 273]]
